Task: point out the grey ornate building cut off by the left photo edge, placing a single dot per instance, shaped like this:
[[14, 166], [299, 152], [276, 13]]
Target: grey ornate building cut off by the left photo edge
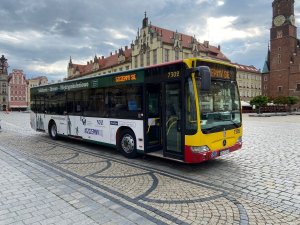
[[3, 84]]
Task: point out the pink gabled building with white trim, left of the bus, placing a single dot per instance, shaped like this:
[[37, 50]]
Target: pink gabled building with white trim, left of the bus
[[17, 90]]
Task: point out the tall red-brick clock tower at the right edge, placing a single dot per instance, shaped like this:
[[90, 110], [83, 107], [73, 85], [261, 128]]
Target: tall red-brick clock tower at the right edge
[[281, 73]]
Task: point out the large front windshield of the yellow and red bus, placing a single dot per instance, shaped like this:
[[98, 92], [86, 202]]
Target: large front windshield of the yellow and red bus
[[219, 107]]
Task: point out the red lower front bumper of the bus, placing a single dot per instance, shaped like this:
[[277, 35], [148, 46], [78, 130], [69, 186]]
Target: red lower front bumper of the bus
[[191, 157]]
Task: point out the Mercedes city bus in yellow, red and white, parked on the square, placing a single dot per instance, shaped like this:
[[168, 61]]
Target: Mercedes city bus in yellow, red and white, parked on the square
[[187, 110]]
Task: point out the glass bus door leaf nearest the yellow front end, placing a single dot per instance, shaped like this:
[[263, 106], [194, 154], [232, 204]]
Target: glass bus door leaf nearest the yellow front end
[[172, 118]]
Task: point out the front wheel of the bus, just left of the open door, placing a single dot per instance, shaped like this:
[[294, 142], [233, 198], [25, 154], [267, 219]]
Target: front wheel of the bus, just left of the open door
[[127, 144]]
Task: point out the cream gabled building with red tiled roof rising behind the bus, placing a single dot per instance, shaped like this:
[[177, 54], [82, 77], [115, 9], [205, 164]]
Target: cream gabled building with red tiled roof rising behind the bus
[[152, 45]]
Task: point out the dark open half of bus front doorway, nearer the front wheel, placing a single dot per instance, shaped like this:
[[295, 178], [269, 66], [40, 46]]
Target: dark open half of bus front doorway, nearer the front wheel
[[153, 120]]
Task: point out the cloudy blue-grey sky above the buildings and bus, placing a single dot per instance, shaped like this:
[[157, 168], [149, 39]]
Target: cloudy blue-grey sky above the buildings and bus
[[39, 36]]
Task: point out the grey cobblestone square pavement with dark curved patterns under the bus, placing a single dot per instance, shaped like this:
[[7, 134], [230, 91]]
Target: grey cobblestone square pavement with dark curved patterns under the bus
[[66, 182]]
